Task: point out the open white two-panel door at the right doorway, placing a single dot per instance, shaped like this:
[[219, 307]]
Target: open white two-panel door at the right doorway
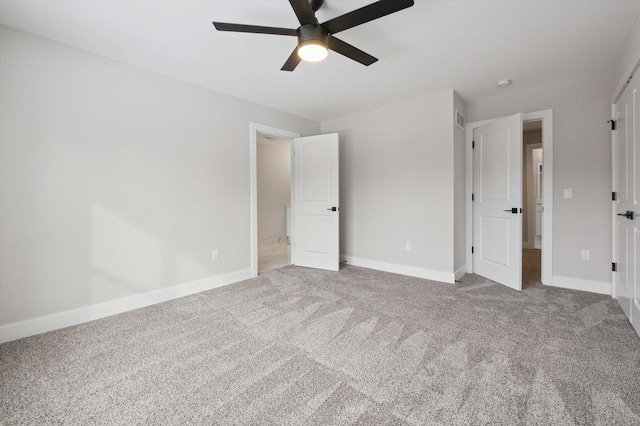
[[497, 218]]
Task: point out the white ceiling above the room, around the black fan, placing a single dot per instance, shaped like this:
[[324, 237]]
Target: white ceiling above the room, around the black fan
[[466, 45]]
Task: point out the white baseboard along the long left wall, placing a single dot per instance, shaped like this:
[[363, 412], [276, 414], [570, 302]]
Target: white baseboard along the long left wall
[[64, 319]]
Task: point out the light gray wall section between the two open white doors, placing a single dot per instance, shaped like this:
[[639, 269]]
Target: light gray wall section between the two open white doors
[[397, 182]]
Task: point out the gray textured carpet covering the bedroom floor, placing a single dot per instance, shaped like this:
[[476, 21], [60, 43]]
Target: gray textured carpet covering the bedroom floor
[[301, 346]]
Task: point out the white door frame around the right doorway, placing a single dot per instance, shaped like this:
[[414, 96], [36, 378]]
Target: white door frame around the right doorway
[[547, 190]]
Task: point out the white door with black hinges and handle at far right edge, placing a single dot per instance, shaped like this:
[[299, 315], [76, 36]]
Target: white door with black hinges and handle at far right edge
[[627, 188]]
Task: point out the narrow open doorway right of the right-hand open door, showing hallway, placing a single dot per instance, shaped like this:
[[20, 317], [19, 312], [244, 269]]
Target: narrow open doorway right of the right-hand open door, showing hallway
[[532, 197]]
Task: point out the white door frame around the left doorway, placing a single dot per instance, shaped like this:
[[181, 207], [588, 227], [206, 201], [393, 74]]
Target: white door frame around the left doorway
[[254, 129]]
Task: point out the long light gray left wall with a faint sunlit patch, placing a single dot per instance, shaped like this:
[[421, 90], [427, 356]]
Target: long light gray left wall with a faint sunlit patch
[[115, 181]]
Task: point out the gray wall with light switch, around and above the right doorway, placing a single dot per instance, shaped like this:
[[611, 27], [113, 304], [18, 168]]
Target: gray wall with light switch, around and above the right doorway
[[581, 161]]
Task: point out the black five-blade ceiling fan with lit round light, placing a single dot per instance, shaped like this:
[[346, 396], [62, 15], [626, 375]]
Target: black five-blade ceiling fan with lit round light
[[314, 39]]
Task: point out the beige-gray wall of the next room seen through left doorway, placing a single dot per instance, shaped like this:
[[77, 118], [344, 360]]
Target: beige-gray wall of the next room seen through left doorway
[[274, 187]]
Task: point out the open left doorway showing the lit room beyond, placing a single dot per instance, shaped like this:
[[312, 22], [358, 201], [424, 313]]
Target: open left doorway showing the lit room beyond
[[273, 158]]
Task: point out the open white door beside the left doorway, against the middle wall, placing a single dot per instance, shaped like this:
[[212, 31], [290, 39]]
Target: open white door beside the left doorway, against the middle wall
[[316, 236]]
